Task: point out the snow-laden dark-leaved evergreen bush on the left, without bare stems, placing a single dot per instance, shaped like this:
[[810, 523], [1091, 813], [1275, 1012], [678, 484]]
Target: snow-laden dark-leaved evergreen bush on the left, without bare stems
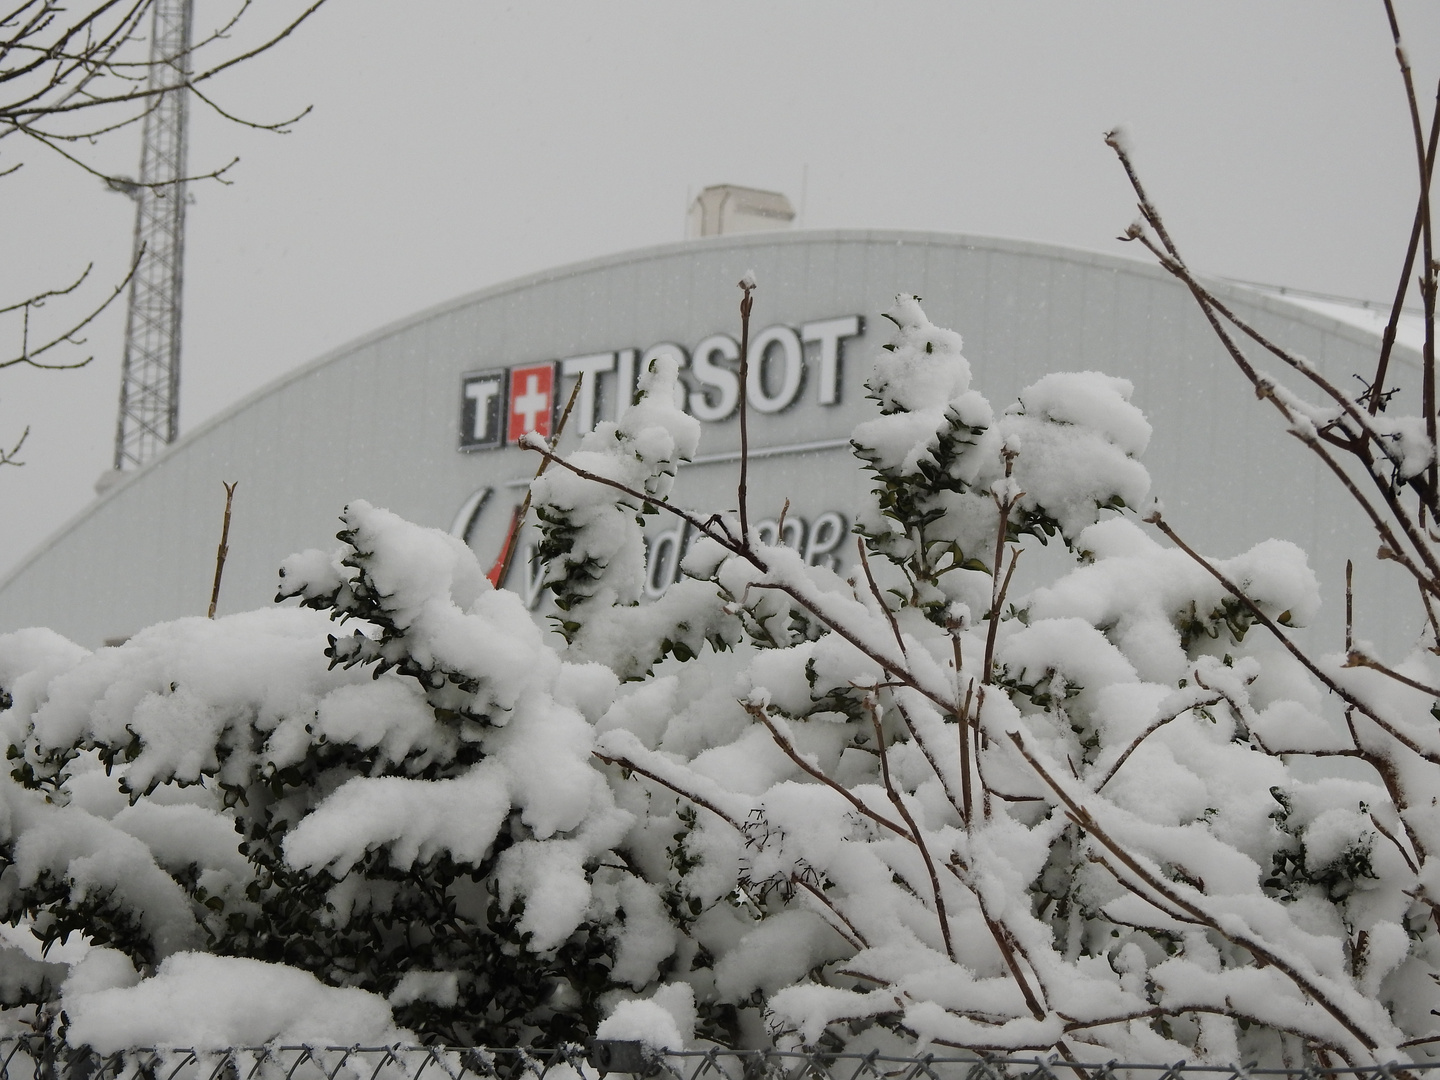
[[418, 819]]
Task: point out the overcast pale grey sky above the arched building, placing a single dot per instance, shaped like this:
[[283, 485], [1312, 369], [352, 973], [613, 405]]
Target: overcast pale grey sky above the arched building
[[459, 143]]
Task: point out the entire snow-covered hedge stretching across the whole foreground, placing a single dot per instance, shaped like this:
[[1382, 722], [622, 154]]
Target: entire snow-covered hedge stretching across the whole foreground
[[775, 807]]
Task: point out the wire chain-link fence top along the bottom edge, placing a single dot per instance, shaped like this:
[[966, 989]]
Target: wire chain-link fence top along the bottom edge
[[38, 1059]]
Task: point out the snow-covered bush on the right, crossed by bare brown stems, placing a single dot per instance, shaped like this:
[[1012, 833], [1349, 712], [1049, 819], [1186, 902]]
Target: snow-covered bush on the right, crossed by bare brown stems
[[1058, 822]]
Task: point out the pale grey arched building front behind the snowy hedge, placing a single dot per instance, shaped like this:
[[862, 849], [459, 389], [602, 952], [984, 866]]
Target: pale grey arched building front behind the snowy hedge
[[384, 418]]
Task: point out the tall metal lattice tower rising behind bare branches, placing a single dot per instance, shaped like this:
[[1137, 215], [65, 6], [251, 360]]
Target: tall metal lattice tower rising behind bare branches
[[150, 378]]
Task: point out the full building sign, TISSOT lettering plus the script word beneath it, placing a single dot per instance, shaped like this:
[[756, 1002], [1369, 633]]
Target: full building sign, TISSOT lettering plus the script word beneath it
[[794, 369]]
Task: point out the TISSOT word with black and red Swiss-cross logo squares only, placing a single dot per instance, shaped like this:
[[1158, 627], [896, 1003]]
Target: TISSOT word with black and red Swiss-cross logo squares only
[[788, 365]]
